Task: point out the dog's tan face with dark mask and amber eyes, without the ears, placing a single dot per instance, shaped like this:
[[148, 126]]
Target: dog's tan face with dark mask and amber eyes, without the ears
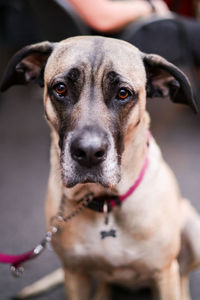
[[89, 99]]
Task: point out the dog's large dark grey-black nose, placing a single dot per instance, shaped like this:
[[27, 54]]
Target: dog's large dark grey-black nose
[[89, 147]]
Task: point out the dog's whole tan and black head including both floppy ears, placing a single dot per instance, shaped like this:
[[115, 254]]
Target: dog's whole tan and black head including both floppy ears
[[95, 88]]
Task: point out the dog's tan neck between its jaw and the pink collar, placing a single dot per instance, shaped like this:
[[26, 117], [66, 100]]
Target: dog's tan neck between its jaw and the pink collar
[[132, 161]]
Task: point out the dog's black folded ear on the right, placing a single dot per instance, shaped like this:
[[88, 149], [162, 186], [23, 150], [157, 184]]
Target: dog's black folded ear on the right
[[166, 80]]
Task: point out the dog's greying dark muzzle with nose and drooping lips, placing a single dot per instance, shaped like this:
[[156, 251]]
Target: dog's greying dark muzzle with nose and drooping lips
[[88, 156]]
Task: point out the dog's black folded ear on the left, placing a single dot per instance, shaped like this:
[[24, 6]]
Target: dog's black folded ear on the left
[[27, 65]]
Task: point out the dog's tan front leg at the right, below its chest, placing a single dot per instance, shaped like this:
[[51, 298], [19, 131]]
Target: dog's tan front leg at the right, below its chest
[[167, 283]]
